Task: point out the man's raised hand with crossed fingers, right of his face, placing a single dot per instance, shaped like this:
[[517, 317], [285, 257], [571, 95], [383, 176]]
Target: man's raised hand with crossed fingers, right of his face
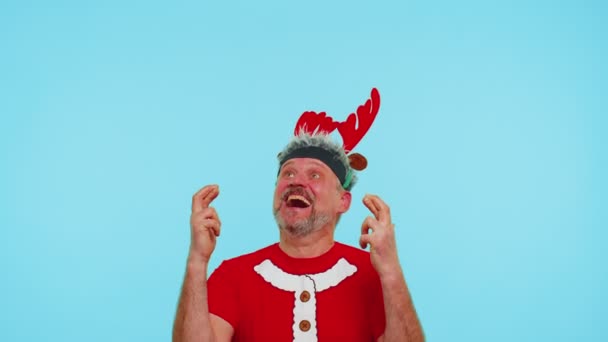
[[379, 233]]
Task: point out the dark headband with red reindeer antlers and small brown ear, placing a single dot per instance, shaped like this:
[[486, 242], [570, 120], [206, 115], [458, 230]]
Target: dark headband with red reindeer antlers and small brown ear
[[352, 131]]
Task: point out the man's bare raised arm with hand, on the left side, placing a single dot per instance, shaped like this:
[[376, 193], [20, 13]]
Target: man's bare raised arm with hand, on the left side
[[193, 322]]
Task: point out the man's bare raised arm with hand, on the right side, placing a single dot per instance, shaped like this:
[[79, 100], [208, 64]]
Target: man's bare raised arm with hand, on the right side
[[402, 323]]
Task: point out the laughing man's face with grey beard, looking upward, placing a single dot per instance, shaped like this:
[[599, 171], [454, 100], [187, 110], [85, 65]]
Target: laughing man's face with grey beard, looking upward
[[308, 196]]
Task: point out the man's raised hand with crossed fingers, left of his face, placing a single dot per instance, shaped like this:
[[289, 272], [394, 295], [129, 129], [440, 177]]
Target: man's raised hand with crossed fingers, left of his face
[[204, 224]]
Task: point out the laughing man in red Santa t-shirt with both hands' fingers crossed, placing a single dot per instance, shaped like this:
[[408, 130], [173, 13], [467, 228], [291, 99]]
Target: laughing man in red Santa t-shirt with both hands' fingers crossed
[[307, 287]]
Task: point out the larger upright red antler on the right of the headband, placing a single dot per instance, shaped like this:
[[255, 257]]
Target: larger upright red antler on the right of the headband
[[364, 118]]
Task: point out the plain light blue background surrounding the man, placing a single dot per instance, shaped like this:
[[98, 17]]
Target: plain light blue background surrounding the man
[[490, 148]]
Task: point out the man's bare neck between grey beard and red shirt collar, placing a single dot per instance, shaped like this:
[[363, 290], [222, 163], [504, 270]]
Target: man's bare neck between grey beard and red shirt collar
[[312, 245]]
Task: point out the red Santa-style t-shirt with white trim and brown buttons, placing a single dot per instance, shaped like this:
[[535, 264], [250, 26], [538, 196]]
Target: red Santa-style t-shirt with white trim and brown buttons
[[270, 296]]
